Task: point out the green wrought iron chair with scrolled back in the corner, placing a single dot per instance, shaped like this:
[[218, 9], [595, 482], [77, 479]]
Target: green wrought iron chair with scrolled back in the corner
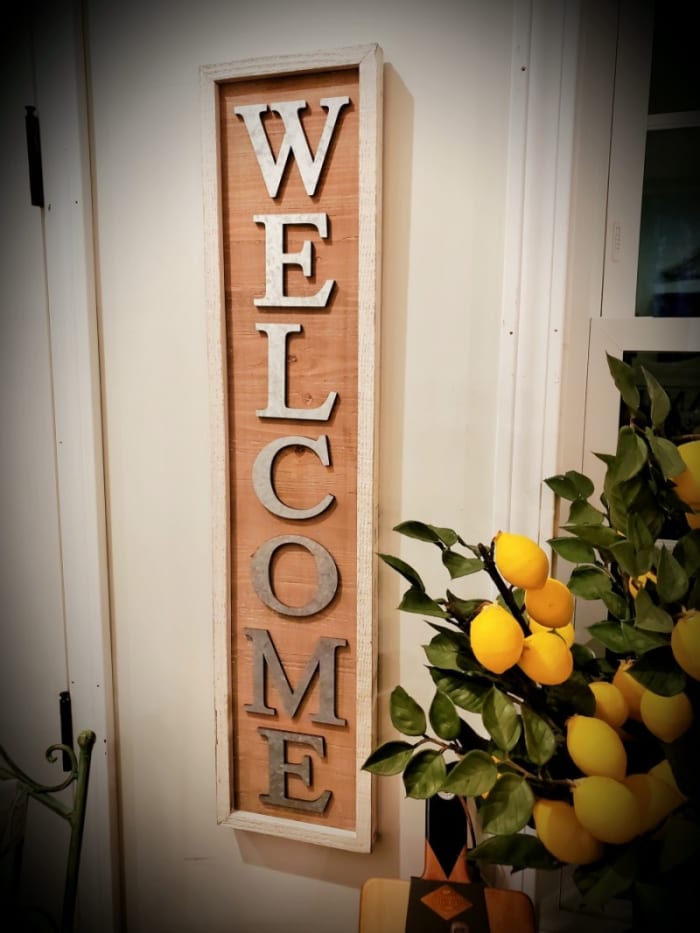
[[77, 777]]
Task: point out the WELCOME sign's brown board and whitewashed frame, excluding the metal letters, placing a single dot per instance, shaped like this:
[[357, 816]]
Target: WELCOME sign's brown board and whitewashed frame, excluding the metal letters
[[335, 352]]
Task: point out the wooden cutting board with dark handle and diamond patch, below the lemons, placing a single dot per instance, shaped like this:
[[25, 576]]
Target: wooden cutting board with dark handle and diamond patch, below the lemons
[[445, 899]]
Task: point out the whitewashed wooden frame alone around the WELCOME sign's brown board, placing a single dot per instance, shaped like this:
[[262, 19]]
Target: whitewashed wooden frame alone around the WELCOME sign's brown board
[[368, 60]]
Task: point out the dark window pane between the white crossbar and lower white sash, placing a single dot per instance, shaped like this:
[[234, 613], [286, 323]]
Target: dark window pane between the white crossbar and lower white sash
[[668, 277]]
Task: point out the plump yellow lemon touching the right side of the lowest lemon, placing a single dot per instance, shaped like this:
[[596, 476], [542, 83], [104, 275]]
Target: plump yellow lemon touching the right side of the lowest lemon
[[607, 809]]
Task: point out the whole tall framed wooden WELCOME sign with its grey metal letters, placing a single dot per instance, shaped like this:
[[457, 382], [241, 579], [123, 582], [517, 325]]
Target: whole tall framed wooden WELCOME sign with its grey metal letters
[[292, 183]]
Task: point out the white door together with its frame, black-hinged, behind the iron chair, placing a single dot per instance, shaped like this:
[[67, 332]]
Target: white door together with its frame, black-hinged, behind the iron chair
[[52, 543]]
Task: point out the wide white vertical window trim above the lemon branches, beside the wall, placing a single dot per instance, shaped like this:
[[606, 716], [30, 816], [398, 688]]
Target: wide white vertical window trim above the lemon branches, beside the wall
[[541, 132]]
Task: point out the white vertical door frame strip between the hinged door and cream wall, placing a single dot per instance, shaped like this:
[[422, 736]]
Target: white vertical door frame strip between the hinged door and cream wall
[[62, 106]]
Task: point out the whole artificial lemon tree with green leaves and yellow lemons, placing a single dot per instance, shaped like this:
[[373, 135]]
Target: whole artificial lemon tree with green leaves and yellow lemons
[[586, 754]]
